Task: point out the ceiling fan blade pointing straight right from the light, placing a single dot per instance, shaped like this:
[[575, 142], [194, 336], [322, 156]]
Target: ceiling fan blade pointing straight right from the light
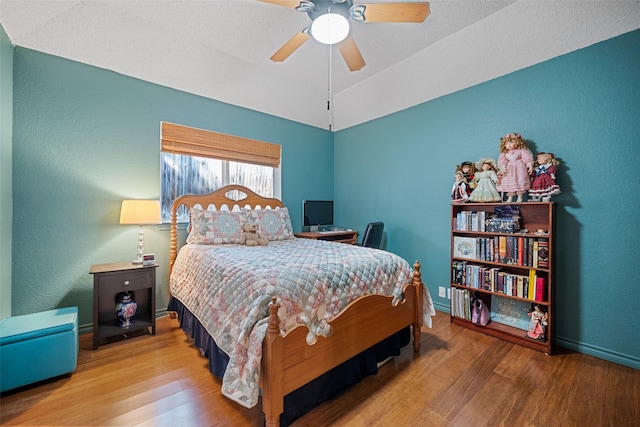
[[391, 12]]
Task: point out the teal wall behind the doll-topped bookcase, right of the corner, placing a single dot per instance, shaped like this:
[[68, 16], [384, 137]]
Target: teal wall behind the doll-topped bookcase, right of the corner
[[585, 108]]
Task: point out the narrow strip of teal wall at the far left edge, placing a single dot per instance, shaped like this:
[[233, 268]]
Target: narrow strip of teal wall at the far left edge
[[6, 129]]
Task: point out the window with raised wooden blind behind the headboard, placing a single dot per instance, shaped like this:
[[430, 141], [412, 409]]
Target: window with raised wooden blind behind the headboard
[[195, 161]]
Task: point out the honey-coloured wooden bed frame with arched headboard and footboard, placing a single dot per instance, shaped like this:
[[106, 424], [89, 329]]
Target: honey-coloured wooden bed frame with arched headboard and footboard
[[288, 362]]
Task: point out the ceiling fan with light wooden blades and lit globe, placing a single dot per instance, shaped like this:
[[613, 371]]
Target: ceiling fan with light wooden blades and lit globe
[[330, 23]]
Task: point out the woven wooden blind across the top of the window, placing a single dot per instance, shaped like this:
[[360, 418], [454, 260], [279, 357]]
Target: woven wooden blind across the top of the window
[[178, 139]]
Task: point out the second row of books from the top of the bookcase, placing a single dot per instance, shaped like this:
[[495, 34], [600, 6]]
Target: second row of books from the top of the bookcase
[[518, 250]]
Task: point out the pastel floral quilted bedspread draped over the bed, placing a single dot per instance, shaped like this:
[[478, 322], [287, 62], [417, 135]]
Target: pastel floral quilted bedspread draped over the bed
[[228, 288]]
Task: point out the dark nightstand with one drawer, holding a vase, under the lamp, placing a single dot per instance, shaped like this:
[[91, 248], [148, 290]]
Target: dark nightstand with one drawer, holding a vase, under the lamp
[[108, 281]]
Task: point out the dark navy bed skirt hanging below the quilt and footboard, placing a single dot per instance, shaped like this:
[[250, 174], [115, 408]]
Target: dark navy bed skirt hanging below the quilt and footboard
[[310, 395]]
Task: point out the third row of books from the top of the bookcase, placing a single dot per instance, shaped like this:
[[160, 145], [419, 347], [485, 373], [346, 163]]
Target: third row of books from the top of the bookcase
[[532, 287]]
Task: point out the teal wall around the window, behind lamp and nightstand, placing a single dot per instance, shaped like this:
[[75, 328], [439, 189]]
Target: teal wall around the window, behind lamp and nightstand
[[84, 139]]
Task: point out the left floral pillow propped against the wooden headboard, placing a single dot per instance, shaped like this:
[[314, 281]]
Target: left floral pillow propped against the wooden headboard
[[215, 227]]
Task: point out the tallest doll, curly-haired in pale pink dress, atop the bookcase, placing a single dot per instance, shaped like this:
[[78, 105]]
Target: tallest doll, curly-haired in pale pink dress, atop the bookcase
[[515, 166]]
